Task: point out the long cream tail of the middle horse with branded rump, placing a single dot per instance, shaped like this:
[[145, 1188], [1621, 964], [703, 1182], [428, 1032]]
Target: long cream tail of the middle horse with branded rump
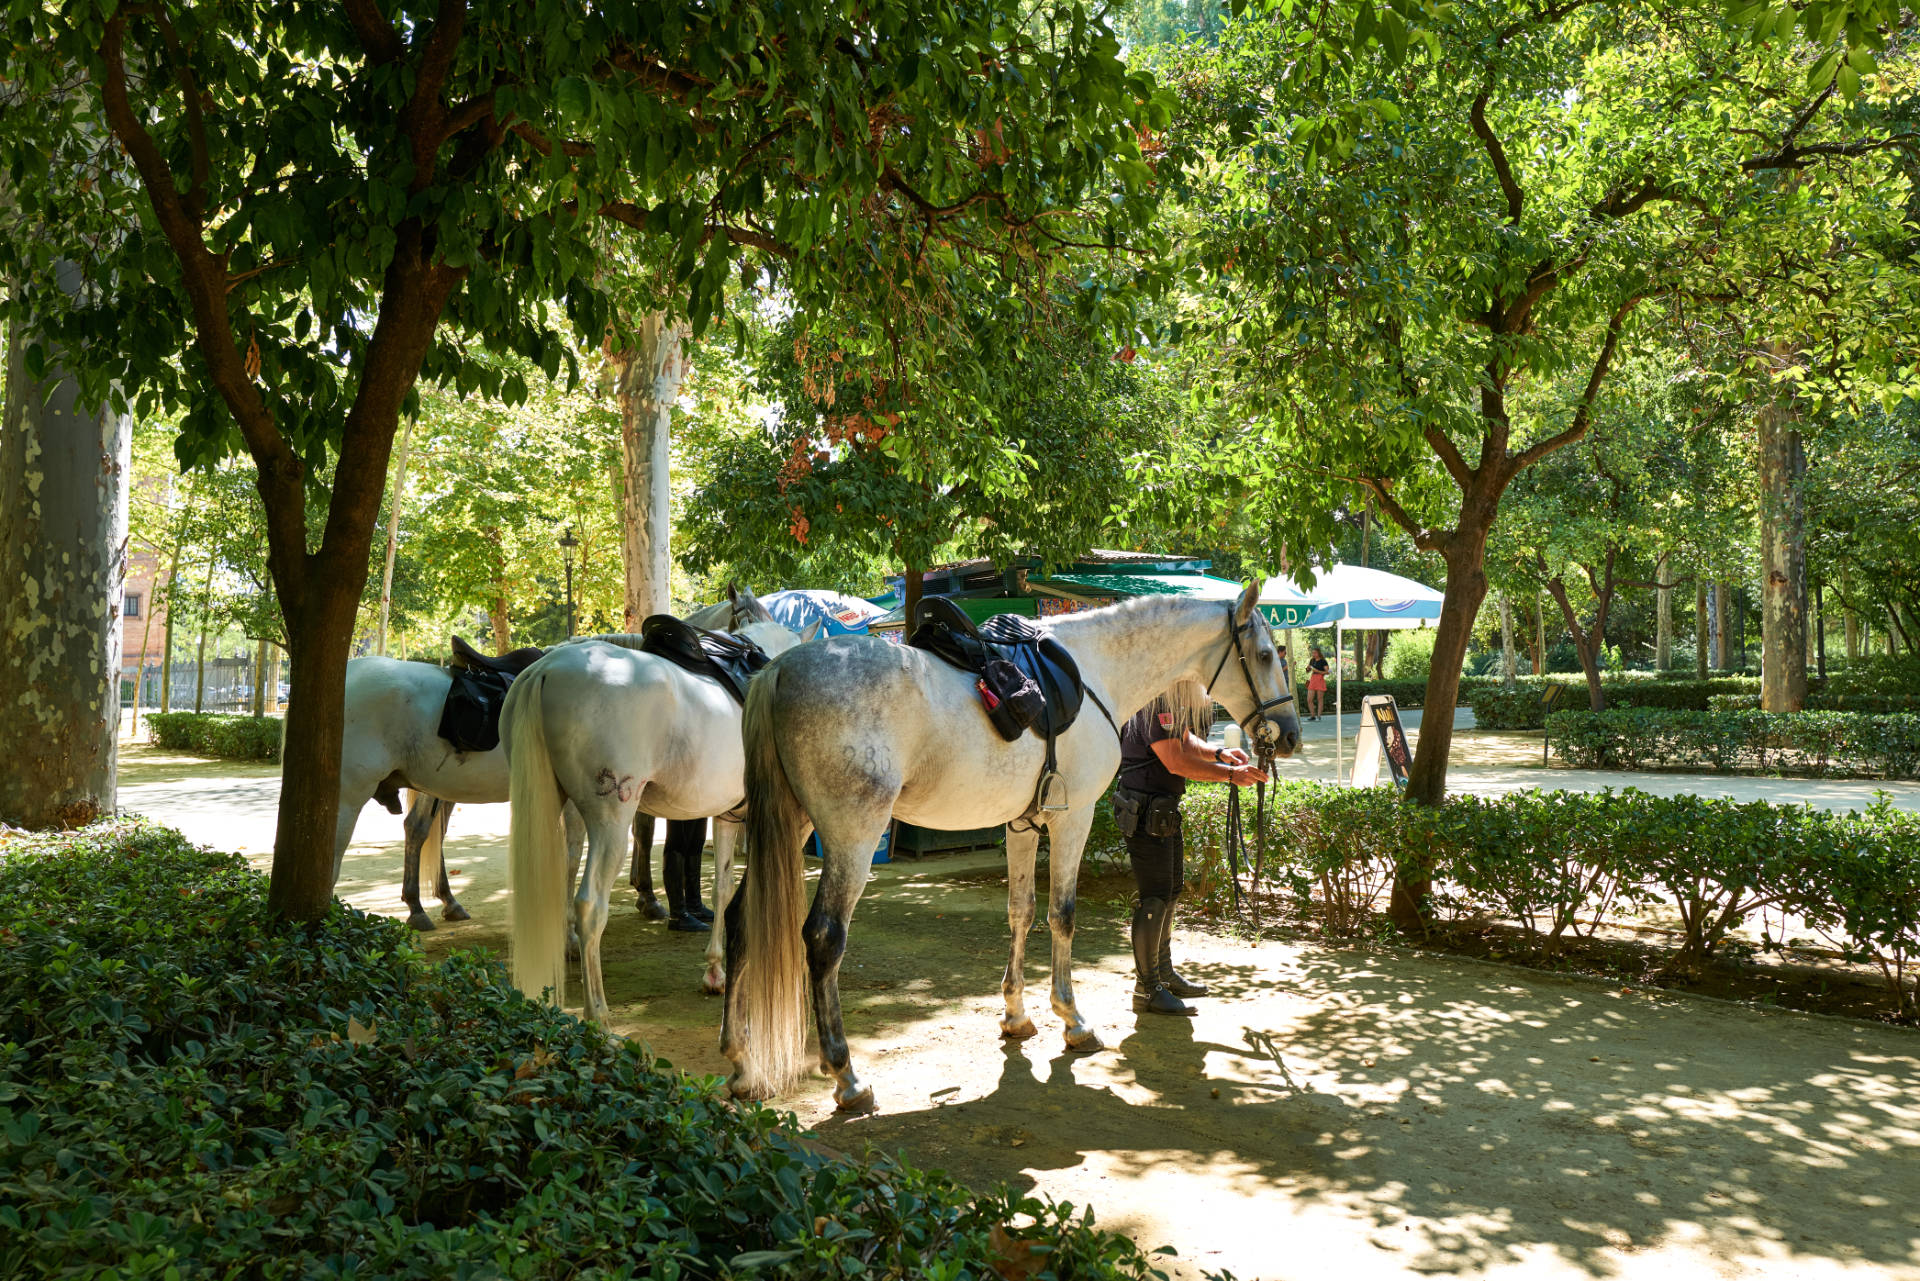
[[537, 848]]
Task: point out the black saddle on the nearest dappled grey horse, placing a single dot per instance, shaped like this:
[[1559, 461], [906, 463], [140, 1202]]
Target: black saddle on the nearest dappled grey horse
[[1028, 681]]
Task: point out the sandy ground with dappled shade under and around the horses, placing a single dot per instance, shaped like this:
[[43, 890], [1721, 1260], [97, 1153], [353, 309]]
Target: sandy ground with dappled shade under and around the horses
[[1424, 1115]]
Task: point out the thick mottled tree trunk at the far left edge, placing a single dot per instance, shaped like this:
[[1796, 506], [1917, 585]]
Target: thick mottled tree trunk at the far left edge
[[62, 539]]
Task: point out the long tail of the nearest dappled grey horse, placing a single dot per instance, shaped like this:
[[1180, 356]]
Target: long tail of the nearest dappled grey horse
[[769, 980]]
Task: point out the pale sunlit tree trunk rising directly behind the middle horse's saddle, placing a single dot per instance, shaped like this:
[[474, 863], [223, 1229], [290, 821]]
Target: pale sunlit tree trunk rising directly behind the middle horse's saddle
[[648, 385]]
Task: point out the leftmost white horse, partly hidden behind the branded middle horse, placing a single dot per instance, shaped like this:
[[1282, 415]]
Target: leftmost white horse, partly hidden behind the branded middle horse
[[393, 744]]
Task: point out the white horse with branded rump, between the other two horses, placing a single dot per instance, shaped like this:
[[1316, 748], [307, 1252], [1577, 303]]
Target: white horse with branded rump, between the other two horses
[[613, 731]]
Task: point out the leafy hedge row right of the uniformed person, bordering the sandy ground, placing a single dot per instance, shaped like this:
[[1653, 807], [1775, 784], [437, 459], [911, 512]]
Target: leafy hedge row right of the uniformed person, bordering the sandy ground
[[1560, 861]]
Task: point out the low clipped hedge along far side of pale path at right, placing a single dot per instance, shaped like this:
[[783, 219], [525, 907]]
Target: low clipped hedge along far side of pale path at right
[[1639, 738]]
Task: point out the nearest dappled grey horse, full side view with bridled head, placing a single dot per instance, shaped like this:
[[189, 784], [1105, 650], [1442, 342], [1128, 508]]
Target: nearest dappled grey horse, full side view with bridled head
[[852, 733]]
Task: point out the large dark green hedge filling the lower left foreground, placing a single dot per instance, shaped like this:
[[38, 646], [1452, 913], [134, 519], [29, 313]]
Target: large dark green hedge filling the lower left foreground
[[193, 1090]]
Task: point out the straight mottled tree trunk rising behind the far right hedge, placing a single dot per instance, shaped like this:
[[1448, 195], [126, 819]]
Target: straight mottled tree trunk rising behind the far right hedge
[[1783, 554]]
